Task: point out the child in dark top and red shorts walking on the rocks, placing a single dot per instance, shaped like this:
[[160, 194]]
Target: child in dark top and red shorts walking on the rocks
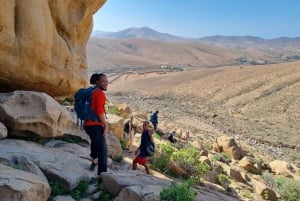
[[141, 154]]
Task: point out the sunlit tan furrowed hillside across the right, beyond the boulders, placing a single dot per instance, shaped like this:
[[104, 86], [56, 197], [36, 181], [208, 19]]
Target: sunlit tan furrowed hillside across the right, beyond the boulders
[[256, 104]]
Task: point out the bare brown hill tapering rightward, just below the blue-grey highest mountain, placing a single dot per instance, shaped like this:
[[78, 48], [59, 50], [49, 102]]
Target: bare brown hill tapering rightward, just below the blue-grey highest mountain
[[109, 54]]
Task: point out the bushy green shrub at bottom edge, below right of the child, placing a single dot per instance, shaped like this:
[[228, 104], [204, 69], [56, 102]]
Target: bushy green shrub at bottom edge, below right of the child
[[178, 192]]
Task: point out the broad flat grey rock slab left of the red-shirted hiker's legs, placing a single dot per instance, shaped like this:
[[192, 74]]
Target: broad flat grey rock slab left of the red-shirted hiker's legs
[[55, 163]]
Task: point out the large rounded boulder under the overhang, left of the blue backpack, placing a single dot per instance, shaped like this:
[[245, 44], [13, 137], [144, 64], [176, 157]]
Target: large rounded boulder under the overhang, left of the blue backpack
[[25, 112]]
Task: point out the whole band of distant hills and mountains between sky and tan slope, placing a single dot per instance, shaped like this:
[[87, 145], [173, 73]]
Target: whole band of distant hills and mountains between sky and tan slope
[[135, 47]]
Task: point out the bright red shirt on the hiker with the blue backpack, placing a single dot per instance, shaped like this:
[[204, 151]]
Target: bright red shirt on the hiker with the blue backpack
[[97, 105]]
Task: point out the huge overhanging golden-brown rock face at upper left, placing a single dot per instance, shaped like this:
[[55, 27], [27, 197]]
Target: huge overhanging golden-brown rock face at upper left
[[42, 44]]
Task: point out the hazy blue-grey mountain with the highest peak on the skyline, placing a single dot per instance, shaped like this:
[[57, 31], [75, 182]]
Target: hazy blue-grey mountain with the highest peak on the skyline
[[143, 32]]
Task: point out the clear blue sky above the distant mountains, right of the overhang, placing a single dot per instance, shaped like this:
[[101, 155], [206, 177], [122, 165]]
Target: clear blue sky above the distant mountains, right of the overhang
[[199, 18]]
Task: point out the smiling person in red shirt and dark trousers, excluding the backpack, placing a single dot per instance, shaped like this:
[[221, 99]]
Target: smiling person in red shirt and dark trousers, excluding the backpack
[[98, 130]]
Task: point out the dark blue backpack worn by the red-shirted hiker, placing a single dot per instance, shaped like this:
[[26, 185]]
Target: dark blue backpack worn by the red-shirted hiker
[[82, 105]]
